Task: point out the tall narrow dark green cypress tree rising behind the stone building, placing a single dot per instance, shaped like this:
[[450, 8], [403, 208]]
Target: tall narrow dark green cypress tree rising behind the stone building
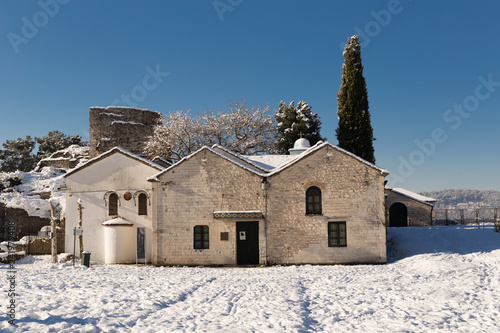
[[355, 132]]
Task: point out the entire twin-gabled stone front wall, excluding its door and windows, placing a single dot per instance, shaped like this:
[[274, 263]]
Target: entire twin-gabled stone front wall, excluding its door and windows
[[189, 193]]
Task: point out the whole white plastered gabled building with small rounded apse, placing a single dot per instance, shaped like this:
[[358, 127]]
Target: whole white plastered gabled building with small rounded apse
[[117, 214]]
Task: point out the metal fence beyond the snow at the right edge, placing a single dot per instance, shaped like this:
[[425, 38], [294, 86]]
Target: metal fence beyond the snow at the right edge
[[482, 215]]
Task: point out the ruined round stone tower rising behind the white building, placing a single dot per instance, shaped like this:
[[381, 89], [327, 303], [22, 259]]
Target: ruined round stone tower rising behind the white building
[[125, 127]]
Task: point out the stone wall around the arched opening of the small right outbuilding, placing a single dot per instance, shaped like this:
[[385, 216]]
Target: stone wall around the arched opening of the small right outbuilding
[[419, 214]]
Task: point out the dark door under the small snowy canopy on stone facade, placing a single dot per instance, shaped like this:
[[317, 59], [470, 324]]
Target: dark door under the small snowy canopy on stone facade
[[247, 243]]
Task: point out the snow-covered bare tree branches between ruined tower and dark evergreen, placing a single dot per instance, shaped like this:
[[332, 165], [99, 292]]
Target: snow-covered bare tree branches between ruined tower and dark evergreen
[[244, 130]]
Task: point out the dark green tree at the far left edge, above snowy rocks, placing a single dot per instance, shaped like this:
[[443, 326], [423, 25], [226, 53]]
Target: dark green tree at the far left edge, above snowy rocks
[[17, 155]]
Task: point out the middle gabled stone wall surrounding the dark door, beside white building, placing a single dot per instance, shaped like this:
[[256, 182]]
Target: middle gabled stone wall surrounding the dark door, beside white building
[[188, 196]]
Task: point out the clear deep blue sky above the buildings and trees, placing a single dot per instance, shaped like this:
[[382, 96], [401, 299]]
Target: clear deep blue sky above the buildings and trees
[[432, 70]]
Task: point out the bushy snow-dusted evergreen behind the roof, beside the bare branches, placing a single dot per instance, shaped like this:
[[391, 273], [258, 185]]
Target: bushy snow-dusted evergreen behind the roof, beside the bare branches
[[294, 123]]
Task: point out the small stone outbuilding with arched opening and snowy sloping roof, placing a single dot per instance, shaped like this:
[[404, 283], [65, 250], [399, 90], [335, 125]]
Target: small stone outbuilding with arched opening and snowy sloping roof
[[408, 209]]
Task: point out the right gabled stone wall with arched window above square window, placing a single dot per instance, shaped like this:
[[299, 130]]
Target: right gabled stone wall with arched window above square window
[[351, 192]]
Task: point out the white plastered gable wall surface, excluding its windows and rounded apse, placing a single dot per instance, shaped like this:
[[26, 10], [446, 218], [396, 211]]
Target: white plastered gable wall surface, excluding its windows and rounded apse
[[119, 173]]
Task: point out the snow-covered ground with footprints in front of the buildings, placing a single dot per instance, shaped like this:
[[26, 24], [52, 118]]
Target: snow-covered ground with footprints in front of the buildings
[[440, 279]]
